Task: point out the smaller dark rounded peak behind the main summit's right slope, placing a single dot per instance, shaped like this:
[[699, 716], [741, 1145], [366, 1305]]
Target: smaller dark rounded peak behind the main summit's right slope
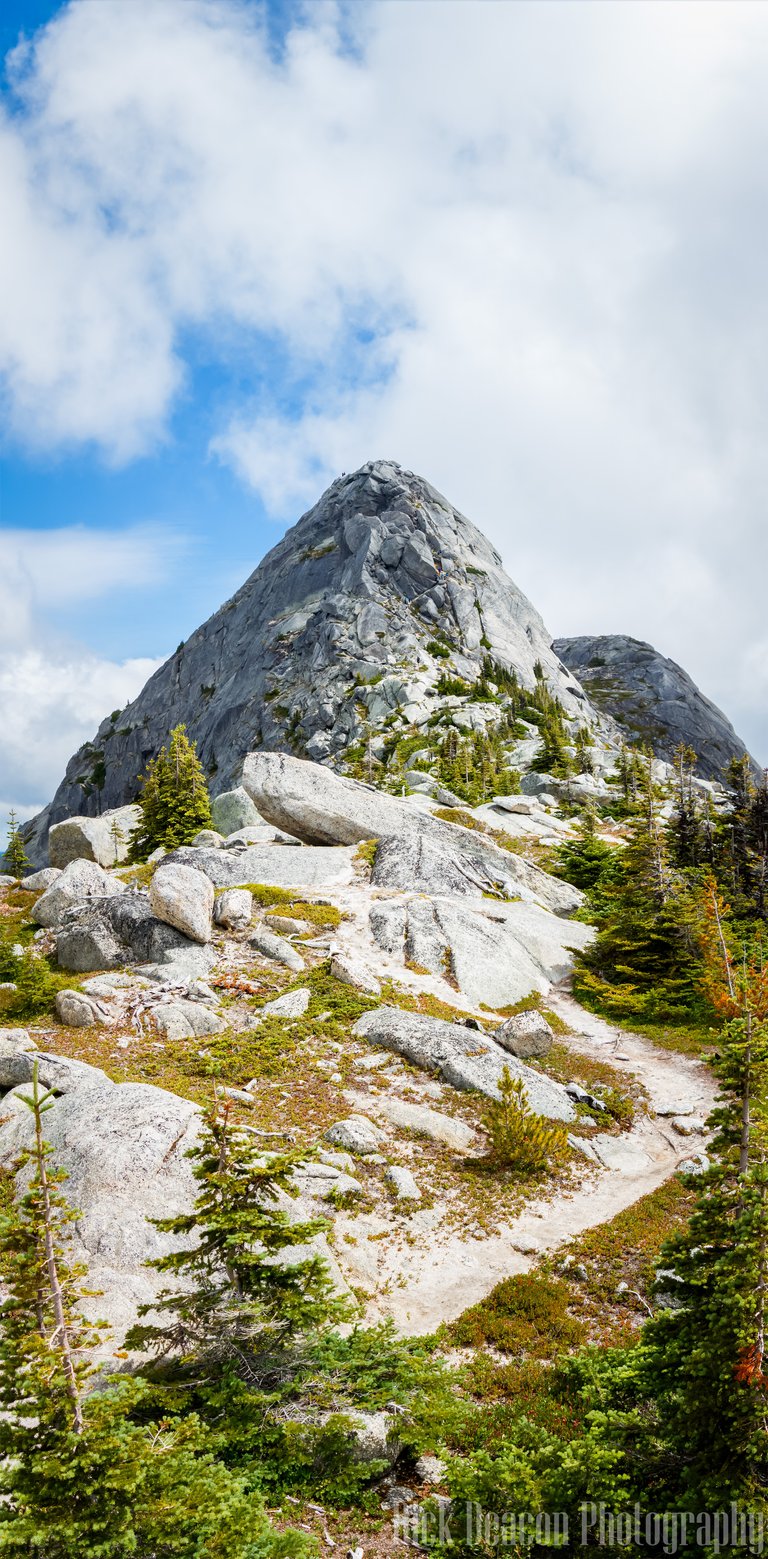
[[652, 699]]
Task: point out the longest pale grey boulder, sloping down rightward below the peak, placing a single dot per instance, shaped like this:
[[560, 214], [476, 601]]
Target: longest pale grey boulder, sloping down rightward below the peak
[[428, 855]]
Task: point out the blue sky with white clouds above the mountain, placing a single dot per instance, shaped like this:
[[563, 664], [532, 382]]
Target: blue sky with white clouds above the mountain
[[518, 249]]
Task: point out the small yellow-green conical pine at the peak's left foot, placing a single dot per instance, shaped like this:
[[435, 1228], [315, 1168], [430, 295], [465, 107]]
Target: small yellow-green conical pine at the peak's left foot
[[175, 801]]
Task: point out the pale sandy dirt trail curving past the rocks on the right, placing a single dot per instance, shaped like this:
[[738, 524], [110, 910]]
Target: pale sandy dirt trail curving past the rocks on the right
[[431, 1273]]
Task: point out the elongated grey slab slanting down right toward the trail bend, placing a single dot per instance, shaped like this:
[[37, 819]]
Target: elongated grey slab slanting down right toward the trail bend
[[463, 1058]]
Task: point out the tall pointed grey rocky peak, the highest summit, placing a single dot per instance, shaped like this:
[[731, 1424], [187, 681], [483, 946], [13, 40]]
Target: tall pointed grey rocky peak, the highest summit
[[347, 626]]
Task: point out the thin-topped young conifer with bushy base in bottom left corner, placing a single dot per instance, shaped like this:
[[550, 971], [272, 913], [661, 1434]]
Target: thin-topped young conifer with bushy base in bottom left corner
[[83, 1474]]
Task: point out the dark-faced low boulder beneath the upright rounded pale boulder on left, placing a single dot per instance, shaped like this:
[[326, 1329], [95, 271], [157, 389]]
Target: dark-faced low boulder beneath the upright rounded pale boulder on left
[[108, 933]]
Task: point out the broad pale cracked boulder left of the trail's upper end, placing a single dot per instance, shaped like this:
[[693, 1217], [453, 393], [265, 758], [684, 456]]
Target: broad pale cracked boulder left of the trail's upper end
[[495, 953]]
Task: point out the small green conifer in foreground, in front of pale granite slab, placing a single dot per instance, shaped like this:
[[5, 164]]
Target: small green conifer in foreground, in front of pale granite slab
[[244, 1304]]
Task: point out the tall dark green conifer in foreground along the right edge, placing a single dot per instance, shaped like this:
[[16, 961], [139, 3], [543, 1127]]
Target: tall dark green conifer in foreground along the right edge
[[706, 1362]]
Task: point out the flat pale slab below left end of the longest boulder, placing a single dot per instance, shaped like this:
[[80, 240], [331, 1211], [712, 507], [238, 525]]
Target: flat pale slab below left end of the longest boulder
[[278, 866]]
